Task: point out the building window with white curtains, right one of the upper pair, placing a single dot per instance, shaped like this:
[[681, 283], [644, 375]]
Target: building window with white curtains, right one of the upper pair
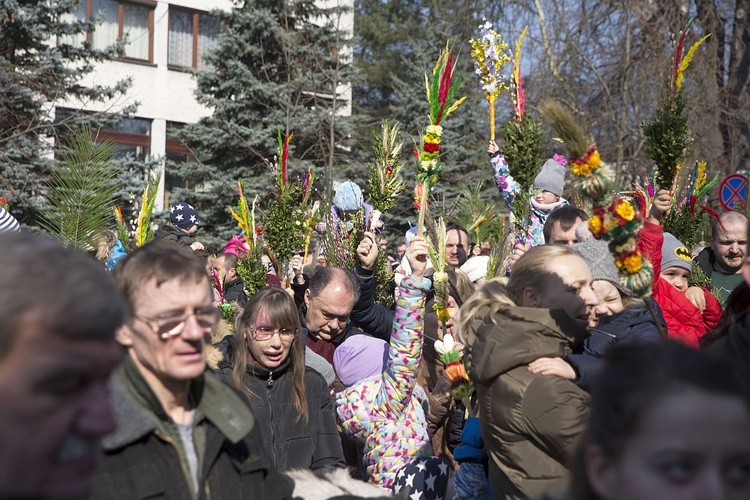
[[191, 35]]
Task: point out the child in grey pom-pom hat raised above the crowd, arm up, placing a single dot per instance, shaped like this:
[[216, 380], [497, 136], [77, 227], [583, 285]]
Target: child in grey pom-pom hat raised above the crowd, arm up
[[548, 187]]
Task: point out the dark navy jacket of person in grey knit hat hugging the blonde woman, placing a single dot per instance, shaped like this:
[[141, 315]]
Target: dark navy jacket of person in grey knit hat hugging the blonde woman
[[634, 324]]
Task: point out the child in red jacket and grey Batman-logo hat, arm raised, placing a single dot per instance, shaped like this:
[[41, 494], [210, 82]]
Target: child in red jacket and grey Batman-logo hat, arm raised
[[690, 312]]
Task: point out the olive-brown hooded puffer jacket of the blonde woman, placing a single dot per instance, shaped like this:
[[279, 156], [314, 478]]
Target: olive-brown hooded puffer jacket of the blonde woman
[[531, 424]]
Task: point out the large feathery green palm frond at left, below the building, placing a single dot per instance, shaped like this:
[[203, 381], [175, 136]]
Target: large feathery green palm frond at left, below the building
[[82, 192]]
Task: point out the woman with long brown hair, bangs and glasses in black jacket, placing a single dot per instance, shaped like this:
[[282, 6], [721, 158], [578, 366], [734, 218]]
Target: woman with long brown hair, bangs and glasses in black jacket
[[291, 403]]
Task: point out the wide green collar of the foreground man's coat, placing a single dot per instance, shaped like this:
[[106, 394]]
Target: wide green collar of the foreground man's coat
[[138, 412]]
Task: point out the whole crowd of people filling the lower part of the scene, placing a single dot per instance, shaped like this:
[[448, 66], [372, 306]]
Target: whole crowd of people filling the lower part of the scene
[[121, 377]]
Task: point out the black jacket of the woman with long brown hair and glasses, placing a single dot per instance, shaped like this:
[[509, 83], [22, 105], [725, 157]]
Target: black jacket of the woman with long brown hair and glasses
[[314, 444]]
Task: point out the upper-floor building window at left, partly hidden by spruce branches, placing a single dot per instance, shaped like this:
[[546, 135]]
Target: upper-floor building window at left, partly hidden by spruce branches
[[116, 20]]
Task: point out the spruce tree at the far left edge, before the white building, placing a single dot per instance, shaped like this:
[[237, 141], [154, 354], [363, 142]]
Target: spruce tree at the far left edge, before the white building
[[40, 68]]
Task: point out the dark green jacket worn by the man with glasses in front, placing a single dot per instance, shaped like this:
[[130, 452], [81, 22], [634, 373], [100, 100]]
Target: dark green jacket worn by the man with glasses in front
[[144, 456]]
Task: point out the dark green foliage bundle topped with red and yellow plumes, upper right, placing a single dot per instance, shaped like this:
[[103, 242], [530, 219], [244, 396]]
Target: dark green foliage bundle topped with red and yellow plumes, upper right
[[667, 138]]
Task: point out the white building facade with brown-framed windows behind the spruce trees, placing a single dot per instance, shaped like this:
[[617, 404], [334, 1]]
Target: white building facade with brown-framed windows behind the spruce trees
[[165, 41]]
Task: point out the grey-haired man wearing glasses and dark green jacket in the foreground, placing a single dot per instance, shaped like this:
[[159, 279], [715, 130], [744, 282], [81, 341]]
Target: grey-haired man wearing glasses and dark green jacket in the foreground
[[181, 433]]
